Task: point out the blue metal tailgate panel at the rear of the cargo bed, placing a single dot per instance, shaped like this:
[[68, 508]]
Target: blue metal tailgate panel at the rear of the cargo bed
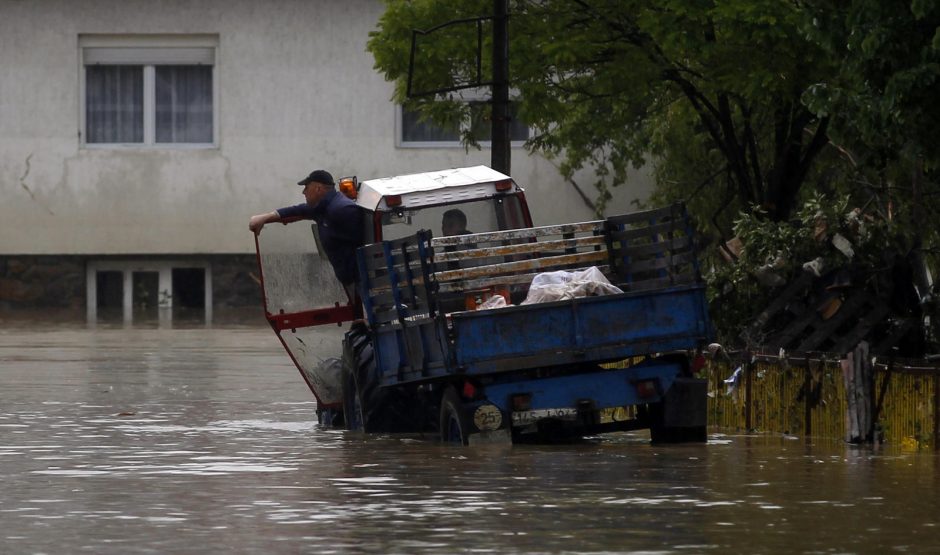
[[598, 329]]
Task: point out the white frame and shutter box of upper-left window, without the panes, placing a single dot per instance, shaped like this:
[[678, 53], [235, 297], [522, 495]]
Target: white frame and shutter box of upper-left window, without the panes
[[181, 49]]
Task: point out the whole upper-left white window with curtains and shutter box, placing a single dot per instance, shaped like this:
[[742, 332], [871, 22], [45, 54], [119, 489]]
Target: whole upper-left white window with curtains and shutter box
[[149, 92]]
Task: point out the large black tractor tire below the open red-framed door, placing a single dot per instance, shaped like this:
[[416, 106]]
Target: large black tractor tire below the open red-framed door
[[367, 407]]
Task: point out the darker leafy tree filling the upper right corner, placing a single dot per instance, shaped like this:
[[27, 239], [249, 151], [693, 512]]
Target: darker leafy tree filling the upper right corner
[[882, 101]]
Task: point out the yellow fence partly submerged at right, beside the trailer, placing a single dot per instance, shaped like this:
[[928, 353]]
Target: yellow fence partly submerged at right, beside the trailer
[[809, 396]]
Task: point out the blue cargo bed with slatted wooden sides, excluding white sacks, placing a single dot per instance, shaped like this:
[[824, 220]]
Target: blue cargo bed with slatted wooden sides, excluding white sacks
[[416, 291]]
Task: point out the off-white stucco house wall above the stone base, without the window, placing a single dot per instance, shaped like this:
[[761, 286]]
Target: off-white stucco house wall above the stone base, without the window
[[297, 91]]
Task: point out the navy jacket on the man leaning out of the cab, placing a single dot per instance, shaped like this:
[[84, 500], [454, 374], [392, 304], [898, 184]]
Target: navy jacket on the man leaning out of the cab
[[340, 223]]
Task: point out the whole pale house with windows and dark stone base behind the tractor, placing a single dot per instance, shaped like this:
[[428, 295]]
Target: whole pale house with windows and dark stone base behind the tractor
[[138, 136]]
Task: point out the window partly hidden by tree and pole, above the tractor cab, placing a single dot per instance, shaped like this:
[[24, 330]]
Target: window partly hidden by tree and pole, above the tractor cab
[[417, 133]]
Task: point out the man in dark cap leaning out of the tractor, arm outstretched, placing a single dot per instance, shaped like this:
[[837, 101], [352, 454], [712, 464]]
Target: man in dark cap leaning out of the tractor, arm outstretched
[[338, 219]]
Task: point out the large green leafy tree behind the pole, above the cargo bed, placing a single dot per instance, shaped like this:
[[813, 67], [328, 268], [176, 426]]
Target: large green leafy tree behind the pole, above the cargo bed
[[609, 84]]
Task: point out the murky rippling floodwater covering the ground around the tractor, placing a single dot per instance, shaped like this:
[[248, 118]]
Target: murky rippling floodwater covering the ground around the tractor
[[204, 440]]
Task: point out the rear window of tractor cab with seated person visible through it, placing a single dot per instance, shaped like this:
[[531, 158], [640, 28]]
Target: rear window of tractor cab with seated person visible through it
[[475, 216]]
